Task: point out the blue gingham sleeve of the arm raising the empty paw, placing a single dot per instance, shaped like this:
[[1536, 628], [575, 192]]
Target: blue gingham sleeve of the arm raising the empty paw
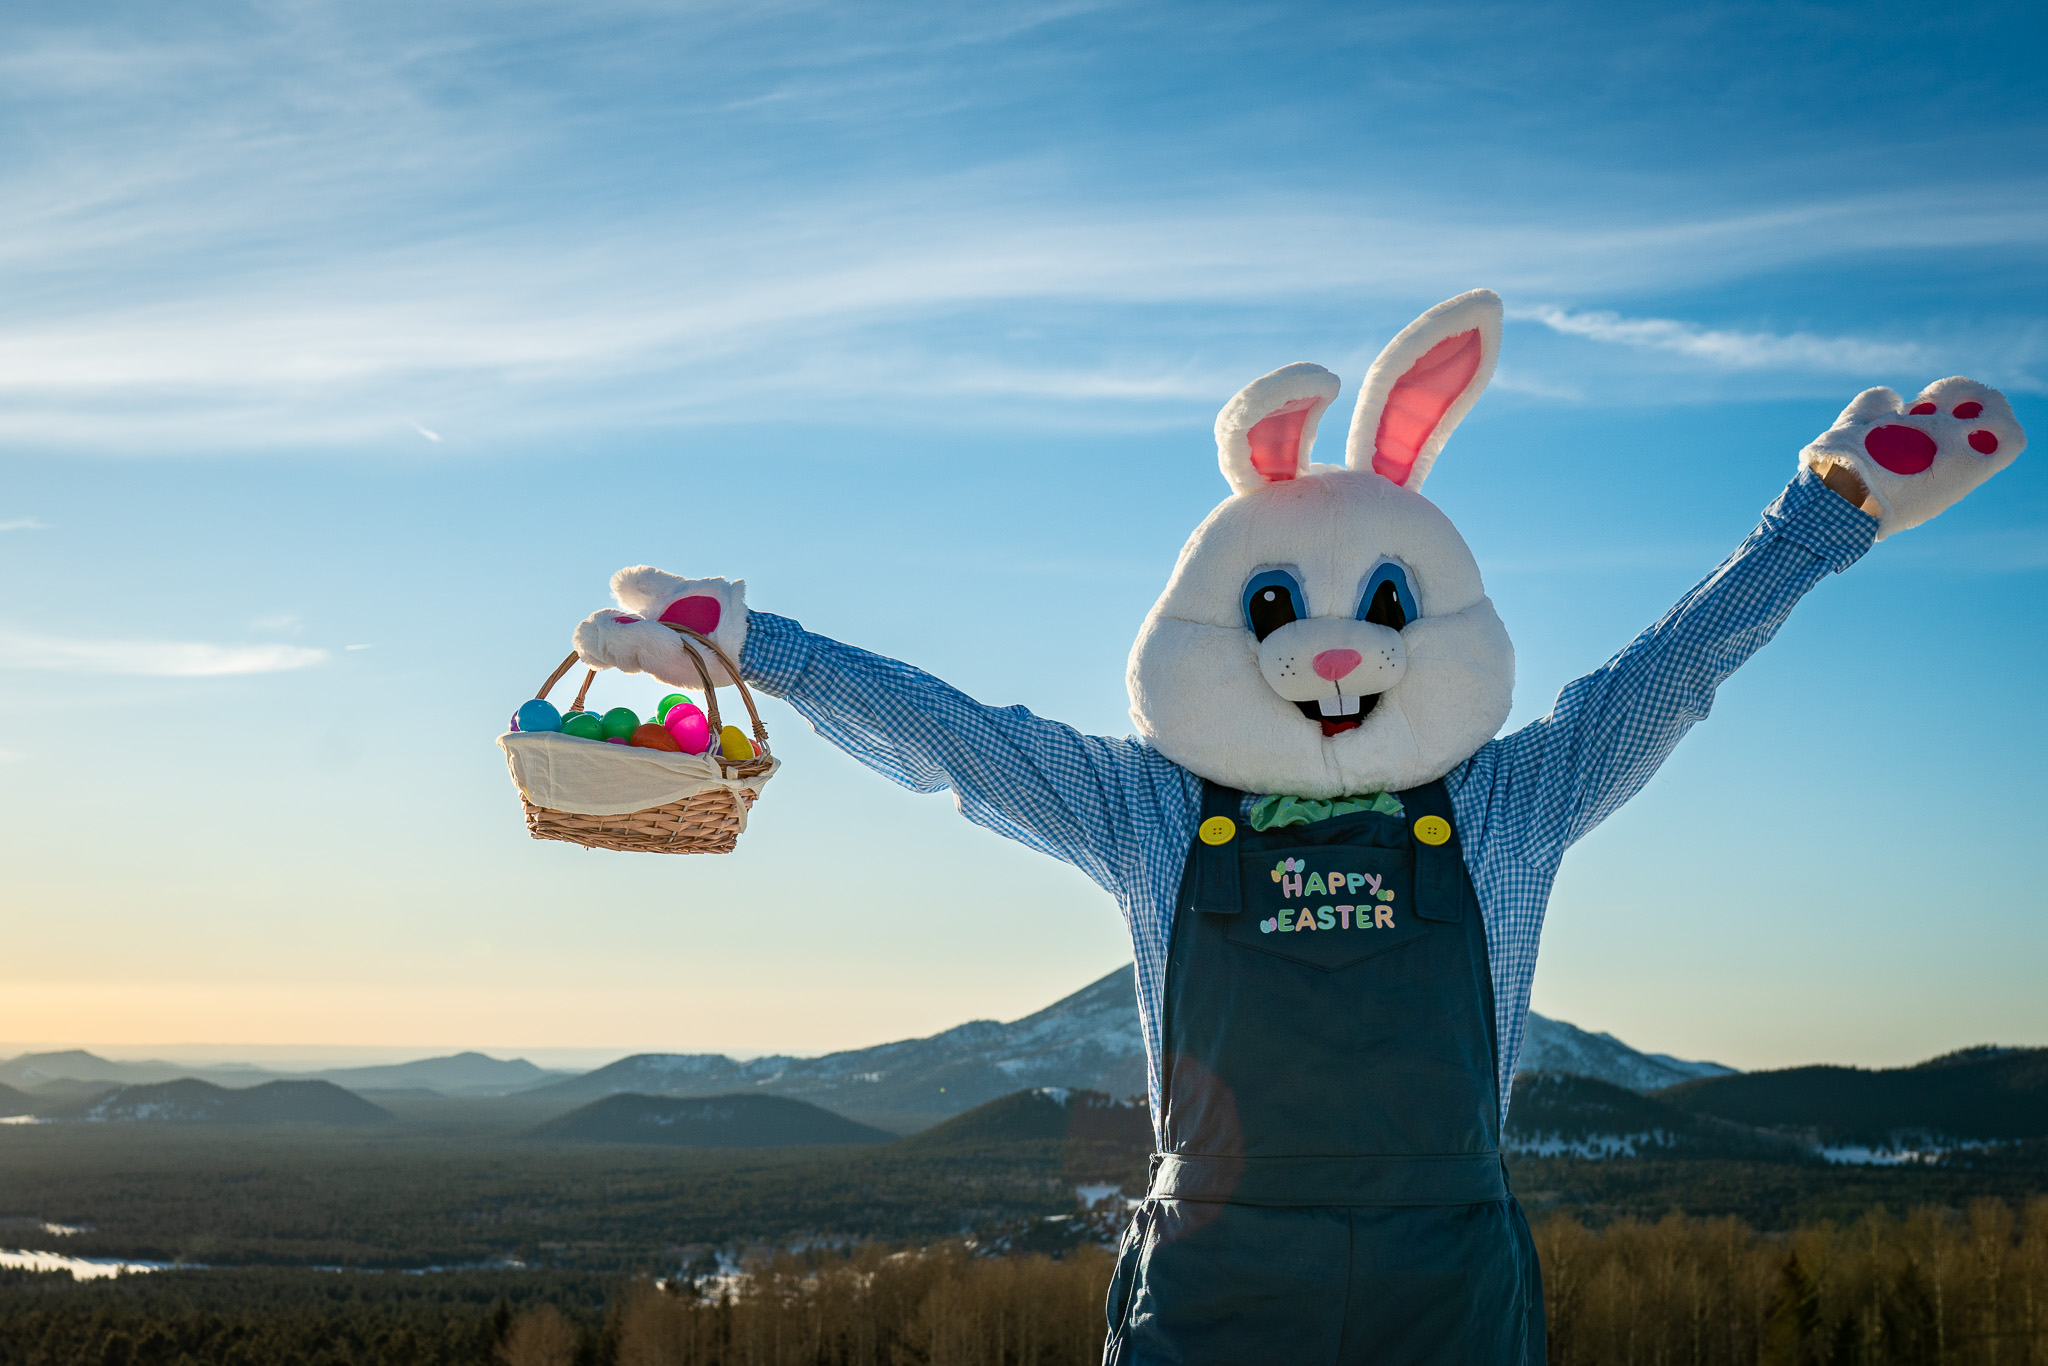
[[1562, 775]]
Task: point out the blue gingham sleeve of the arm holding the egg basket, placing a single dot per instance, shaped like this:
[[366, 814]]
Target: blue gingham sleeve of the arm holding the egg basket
[[1041, 783]]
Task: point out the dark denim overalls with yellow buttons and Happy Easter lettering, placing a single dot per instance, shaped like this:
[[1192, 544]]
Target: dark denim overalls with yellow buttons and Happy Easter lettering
[[1330, 1185]]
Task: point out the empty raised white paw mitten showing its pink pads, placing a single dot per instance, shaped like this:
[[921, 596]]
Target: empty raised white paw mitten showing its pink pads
[[1920, 460]]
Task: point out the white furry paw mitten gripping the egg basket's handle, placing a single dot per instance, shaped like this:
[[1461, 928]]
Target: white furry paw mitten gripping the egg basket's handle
[[636, 642]]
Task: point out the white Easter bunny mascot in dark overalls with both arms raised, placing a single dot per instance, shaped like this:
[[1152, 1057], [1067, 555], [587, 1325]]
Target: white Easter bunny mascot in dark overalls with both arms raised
[[1332, 869]]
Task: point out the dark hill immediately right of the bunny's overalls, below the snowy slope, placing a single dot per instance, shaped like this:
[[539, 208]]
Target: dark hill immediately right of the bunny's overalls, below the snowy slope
[[1560, 1115]]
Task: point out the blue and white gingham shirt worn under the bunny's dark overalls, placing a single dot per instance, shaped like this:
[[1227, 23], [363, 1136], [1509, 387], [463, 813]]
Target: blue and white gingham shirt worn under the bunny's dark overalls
[[1125, 816]]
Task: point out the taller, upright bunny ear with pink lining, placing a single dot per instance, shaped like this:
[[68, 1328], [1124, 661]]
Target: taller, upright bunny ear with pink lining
[[1422, 386]]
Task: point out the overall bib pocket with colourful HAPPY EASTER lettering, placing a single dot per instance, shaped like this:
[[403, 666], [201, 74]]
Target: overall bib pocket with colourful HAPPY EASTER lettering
[[1328, 906]]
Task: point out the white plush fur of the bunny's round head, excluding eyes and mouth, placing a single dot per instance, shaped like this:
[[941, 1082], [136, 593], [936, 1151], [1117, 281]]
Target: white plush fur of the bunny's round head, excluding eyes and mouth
[[1197, 683]]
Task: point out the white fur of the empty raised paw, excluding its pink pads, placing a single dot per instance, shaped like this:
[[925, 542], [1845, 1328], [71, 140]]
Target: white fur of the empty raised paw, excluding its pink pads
[[1910, 501]]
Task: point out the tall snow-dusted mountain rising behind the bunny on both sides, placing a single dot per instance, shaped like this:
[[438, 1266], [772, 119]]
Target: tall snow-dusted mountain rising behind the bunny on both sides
[[1086, 1041]]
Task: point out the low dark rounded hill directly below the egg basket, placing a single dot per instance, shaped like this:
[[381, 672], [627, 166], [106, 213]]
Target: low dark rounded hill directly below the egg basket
[[712, 1121]]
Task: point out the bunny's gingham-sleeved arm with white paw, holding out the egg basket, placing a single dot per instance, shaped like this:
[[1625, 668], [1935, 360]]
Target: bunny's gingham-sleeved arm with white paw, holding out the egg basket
[[1078, 798]]
